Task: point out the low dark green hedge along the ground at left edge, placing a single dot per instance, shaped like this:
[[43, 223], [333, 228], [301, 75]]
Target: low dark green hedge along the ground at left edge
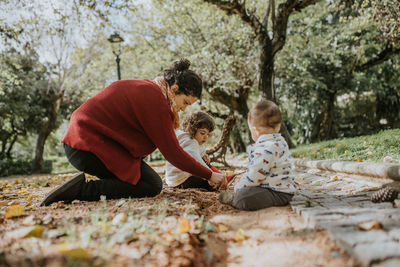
[[21, 166]]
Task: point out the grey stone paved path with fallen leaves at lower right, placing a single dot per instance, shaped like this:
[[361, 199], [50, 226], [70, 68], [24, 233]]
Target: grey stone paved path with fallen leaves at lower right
[[341, 204]]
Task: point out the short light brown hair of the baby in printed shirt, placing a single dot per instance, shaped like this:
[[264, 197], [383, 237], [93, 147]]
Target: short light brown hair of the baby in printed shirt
[[265, 114]]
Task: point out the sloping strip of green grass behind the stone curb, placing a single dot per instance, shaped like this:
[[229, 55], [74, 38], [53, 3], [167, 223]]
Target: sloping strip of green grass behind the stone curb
[[371, 148]]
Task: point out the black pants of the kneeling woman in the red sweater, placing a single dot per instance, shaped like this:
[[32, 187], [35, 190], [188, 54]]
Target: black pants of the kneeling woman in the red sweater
[[149, 184]]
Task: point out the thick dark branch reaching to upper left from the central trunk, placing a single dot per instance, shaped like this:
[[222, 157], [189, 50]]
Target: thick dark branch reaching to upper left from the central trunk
[[234, 6]]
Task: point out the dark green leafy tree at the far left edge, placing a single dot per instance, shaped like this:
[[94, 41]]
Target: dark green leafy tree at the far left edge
[[21, 77]]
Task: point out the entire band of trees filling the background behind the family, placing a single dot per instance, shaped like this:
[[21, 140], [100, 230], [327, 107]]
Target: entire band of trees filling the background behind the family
[[333, 66]]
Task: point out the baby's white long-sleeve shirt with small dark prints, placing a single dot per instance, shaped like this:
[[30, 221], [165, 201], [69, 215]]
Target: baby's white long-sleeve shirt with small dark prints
[[270, 165]]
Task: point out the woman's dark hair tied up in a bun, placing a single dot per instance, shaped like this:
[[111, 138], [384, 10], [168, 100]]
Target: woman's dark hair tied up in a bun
[[188, 81]]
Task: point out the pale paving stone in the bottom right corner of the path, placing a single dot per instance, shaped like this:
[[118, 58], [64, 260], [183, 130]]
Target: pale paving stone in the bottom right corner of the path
[[376, 251]]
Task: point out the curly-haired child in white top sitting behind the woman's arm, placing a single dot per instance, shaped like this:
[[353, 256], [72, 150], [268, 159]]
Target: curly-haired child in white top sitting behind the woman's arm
[[197, 127]]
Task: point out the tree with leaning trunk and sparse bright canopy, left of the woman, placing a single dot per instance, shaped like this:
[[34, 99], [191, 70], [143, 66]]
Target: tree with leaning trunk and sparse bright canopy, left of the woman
[[55, 36]]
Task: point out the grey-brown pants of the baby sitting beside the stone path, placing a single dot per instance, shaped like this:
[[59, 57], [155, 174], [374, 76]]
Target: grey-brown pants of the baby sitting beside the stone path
[[255, 198]]
